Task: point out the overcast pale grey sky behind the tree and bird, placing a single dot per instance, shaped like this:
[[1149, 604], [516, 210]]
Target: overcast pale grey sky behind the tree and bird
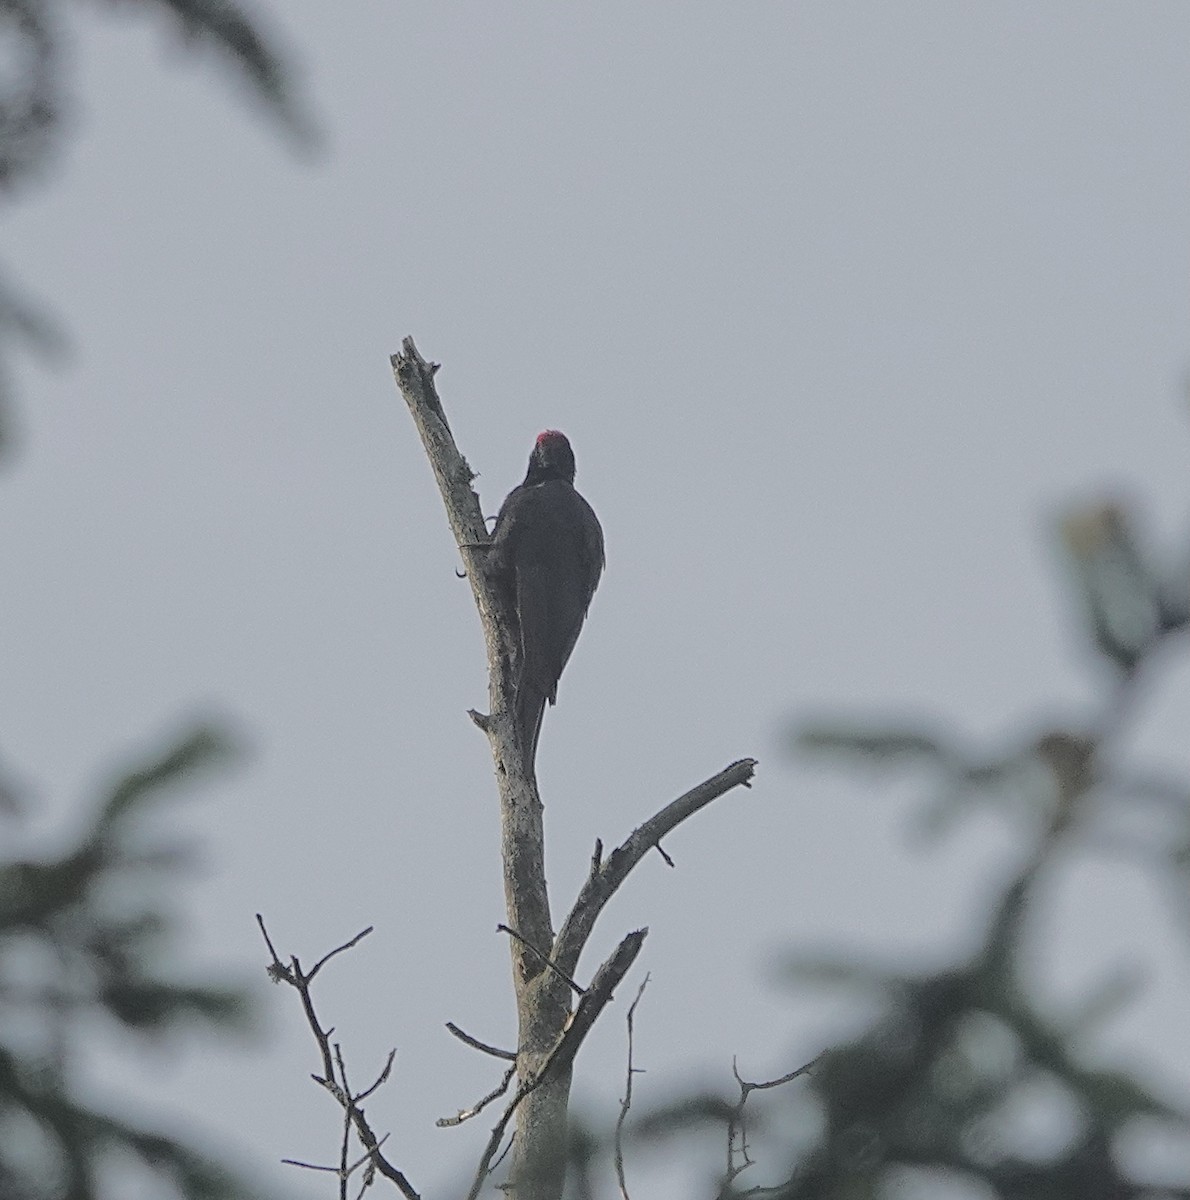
[[839, 305]]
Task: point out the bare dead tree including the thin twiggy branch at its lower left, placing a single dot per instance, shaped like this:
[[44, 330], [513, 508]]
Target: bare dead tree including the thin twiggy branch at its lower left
[[555, 1012]]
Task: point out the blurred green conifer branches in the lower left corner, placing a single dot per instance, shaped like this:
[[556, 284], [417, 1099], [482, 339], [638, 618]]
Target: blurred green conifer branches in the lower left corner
[[83, 938]]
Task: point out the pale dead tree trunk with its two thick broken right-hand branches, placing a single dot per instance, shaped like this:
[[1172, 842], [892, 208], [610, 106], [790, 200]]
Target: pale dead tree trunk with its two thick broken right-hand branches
[[551, 1029]]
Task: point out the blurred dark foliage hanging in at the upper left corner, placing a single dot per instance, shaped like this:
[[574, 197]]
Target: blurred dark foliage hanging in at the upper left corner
[[35, 99]]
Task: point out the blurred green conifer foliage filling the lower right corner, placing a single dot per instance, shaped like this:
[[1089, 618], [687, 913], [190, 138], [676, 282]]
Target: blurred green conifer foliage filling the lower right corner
[[960, 1083]]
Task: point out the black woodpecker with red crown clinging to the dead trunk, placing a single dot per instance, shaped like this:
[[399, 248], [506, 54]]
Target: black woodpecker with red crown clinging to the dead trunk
[[548, 554]]
